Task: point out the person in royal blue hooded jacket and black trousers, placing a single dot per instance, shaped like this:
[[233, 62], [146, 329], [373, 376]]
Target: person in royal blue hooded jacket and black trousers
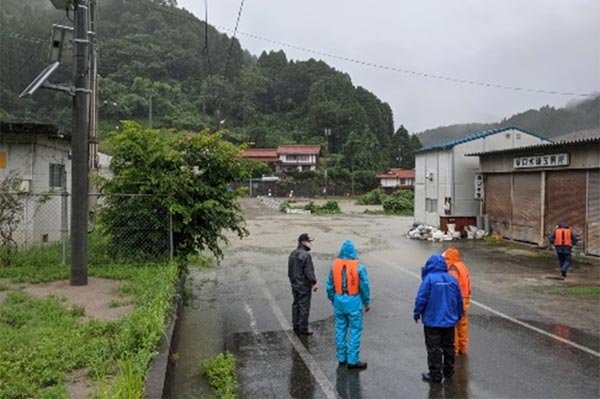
[[439, 305]]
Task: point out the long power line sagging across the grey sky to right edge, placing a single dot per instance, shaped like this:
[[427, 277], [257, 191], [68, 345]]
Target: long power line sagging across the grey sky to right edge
[[407, 71]]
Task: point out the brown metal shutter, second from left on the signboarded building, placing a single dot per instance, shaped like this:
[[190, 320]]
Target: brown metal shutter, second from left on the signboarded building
[[526, 210]]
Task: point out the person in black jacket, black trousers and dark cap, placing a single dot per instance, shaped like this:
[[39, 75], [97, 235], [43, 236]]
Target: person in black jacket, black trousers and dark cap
[[301, 273]]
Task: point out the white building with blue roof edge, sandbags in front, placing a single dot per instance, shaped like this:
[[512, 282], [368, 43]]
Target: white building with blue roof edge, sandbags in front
[[445, 178]]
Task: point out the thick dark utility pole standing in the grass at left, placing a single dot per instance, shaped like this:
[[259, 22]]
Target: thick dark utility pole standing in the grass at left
[[80, 147]]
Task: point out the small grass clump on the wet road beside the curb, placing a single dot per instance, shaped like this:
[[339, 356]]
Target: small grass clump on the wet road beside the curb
[[221, 375]]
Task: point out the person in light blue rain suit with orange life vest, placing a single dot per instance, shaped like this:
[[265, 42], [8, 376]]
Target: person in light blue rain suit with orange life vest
[[348, 290]]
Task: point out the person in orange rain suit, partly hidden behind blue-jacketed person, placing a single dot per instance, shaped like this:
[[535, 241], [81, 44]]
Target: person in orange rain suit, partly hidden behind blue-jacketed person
[[460, 271]]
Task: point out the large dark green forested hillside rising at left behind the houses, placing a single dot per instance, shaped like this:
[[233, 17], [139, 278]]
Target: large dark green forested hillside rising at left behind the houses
[[198, 79]]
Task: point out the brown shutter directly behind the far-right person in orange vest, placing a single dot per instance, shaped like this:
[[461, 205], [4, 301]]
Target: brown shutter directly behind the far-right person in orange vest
[[566, 200]]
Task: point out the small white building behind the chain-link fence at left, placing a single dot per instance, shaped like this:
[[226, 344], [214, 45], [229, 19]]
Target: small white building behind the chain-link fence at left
[[40, 156]]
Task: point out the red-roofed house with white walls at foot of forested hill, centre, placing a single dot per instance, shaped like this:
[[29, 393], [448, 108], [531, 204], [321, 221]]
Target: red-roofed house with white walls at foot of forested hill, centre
[[287, 158]]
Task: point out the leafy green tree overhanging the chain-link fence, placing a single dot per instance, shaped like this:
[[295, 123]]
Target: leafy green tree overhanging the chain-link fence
[[184, 174]]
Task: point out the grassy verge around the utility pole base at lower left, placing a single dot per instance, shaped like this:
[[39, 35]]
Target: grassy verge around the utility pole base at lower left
[[41, 339]]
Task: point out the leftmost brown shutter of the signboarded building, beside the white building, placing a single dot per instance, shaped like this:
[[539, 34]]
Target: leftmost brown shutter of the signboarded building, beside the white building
[[497, 202]]
